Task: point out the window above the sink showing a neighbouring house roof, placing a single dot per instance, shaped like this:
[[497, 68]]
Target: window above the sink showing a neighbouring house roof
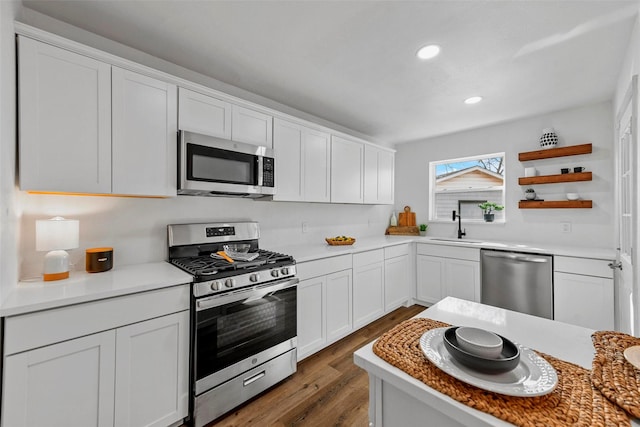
[[462, 184]]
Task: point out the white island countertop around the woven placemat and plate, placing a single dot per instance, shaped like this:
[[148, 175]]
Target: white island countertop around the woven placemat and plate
[[564, 341]]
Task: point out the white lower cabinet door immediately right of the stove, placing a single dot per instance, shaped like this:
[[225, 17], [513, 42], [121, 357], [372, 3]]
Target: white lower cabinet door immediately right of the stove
[[311, 309]]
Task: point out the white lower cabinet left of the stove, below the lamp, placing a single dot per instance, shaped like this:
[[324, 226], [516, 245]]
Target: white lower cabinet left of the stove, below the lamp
[[128, 375]]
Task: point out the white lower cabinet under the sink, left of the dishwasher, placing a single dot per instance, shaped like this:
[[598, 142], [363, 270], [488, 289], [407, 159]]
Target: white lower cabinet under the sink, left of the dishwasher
[[447, 271]]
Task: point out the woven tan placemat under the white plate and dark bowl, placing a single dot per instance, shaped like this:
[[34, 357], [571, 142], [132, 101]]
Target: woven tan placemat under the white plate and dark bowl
[[574, 402]]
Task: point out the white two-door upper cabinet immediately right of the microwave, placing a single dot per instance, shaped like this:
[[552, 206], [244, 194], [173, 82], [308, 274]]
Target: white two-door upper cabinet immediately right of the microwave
[[302, 156]]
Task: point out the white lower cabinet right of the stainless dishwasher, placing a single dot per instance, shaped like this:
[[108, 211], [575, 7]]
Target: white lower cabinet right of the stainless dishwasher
[[583, 292]]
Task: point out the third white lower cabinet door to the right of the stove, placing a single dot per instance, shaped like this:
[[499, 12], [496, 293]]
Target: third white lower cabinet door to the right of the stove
[[368, 293]]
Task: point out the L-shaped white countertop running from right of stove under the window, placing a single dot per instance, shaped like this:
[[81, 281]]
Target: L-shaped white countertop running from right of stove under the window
[[309, 252]]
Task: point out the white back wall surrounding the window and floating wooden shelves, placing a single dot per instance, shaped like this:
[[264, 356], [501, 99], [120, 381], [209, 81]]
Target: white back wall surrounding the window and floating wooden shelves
[[590, 227]]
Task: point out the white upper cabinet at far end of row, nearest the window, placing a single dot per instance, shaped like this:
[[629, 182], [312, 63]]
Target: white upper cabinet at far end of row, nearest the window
[[378, 175]]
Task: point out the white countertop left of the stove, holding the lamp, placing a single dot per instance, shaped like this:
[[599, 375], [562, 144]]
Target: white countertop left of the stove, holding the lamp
[[29, 296]]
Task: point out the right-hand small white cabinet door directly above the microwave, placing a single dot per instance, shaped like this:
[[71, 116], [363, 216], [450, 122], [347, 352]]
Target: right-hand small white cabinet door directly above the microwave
[[251, 127]]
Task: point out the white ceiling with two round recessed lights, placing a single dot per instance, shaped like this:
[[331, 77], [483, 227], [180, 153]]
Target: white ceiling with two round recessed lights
[[353, 62]]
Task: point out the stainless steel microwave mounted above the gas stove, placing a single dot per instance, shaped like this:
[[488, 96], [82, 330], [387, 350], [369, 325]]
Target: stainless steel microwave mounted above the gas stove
[[209, 166]]
